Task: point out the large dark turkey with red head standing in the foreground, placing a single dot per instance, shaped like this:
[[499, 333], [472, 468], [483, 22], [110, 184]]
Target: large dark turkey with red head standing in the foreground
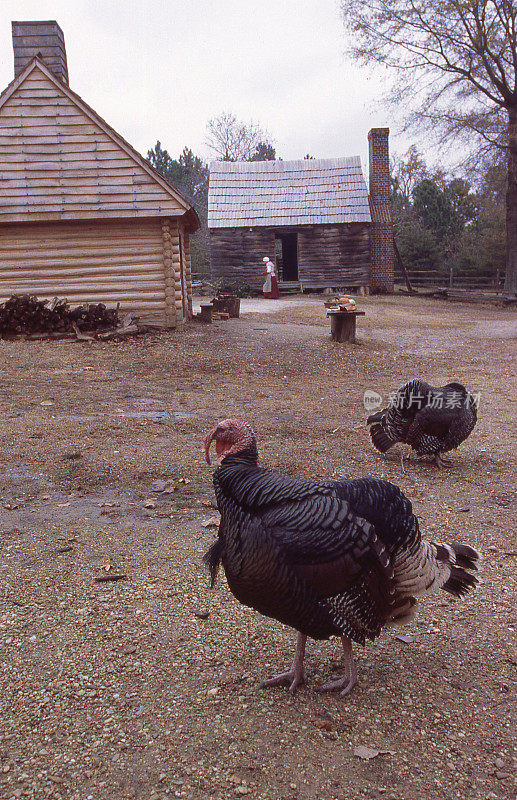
[[327, 558]]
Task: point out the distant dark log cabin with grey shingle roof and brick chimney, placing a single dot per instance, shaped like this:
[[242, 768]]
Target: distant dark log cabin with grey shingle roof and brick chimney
[[313, 218]]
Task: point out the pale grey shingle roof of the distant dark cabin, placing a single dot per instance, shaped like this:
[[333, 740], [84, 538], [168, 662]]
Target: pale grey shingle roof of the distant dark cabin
[[275, 193]]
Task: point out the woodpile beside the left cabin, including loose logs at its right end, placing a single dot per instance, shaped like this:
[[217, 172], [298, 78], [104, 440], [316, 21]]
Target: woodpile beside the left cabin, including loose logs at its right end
[[25, 316]]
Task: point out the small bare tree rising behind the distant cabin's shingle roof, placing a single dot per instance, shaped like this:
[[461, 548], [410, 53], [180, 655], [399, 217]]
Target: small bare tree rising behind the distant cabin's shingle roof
[[232, 140]]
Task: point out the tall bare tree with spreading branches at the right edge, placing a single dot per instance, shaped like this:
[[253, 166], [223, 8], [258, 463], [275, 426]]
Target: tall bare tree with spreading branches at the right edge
[[457, 66]]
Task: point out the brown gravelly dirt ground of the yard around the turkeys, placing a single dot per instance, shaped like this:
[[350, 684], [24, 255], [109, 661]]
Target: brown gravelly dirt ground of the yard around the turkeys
[[148, 687]]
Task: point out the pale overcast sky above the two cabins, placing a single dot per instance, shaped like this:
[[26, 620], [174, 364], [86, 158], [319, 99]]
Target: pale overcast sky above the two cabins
[[159, 69]]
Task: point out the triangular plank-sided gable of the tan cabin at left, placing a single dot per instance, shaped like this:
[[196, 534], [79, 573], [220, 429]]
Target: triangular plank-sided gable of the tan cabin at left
[[59, 160]]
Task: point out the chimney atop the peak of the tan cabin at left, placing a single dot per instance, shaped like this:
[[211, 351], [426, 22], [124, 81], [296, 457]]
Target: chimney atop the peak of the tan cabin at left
[[40, 38]]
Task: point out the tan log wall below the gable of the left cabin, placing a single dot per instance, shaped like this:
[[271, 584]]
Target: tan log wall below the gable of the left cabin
[[135, 263]]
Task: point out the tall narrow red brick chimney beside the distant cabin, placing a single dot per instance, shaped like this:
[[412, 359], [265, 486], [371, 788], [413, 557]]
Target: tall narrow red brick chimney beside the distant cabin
[[382, 226]]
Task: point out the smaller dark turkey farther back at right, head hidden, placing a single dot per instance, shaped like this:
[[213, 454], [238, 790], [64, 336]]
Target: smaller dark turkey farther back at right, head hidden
[[432, 419]]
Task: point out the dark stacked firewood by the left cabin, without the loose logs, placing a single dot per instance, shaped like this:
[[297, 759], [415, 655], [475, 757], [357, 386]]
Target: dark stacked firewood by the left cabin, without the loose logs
[[24, 314]]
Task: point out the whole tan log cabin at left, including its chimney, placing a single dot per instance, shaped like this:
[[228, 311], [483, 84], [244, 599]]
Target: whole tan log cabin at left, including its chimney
[[82, 214]]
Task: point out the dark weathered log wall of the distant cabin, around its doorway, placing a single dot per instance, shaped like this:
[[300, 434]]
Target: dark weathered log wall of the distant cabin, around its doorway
[[331, 255]]
